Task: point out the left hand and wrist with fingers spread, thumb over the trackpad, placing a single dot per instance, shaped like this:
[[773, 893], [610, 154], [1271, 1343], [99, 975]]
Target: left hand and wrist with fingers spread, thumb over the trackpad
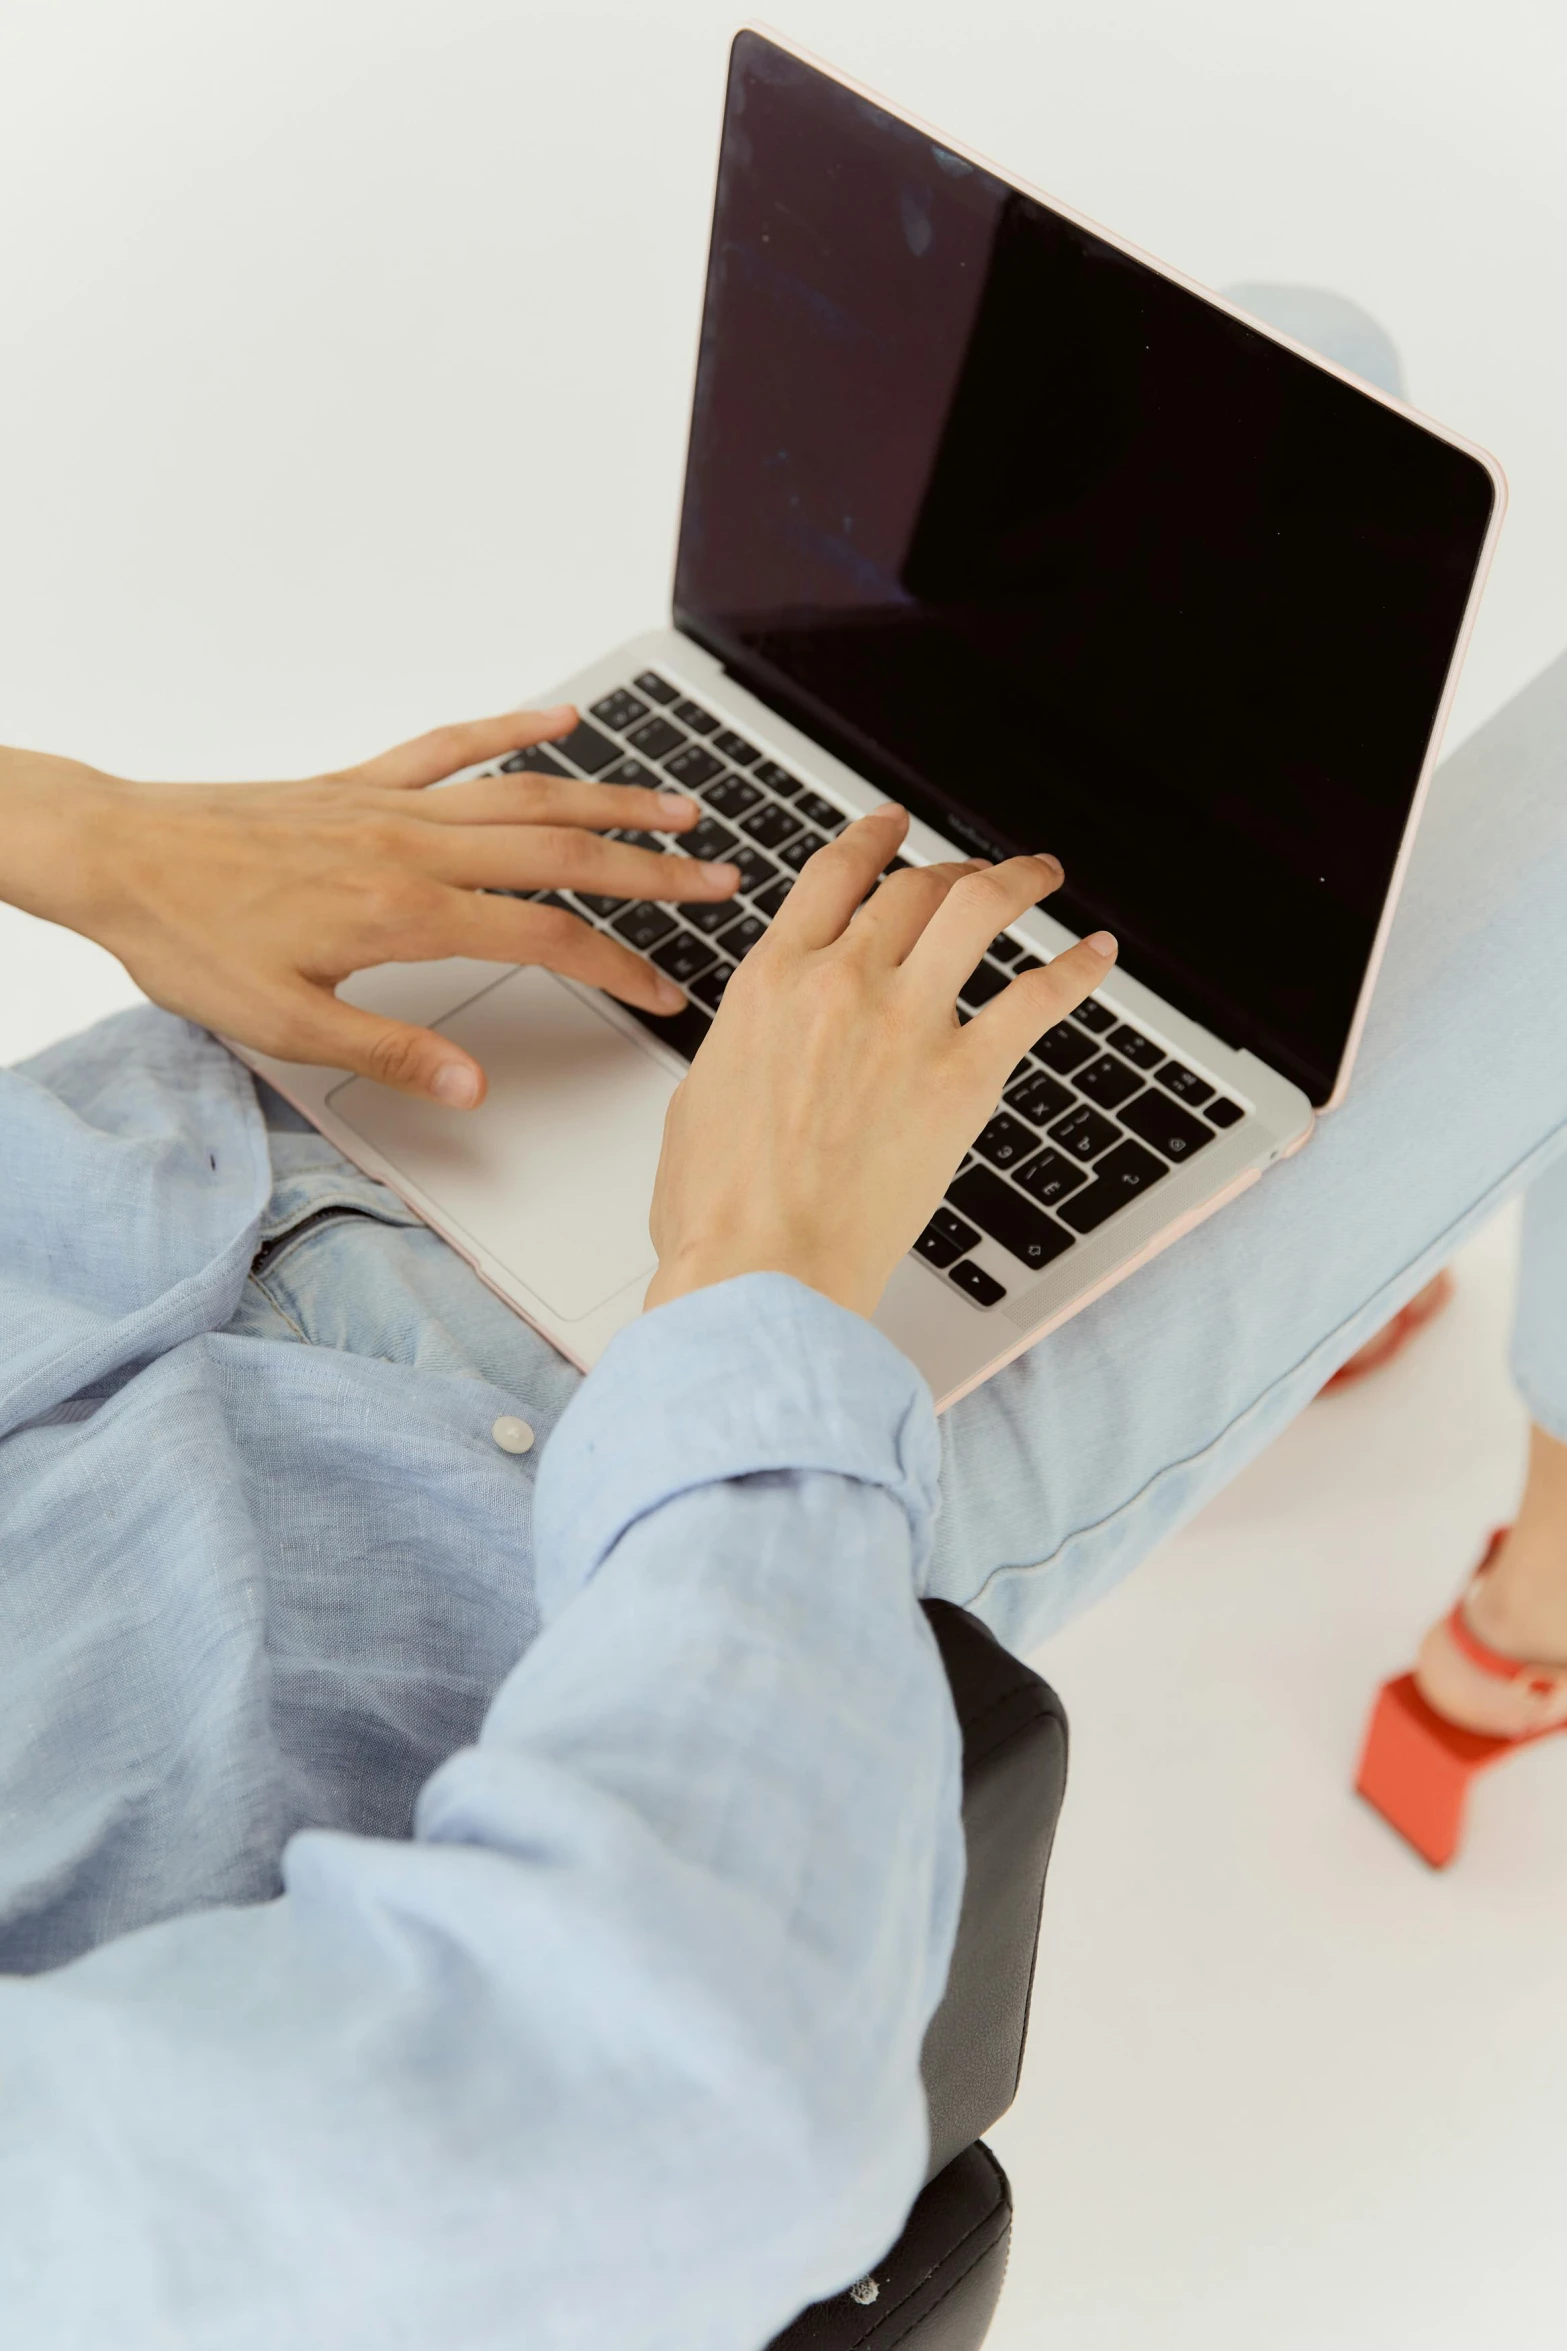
[[243, 906]]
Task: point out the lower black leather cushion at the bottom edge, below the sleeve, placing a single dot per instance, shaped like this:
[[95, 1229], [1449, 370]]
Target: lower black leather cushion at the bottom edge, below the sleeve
[[941, 2282]]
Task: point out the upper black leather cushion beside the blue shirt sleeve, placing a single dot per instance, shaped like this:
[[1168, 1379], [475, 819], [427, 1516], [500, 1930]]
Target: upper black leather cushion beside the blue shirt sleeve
[[1014, 1783]]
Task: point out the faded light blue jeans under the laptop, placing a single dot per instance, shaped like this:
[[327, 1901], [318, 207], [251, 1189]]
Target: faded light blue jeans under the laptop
[[1117, 1428]]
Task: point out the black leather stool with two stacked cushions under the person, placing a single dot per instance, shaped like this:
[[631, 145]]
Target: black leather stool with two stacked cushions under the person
[[939, 2286]]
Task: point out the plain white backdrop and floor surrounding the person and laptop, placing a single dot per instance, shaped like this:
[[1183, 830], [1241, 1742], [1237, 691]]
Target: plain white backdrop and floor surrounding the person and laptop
[[344, 368]]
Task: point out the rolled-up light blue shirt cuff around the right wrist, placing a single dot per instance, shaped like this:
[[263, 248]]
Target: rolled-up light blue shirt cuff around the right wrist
[[748, 1377]]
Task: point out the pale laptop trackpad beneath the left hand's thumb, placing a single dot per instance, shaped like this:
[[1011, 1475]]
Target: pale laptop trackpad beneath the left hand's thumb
[[553, 1177]]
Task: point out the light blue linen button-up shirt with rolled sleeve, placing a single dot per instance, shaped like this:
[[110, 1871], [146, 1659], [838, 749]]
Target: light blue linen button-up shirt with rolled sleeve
[[445, 1901]]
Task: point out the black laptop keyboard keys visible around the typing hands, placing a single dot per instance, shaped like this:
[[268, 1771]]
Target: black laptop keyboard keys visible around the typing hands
[[1091, 1118]]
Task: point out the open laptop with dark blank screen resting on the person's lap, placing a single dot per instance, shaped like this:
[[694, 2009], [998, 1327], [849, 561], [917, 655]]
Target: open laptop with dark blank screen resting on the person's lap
[[990, 514]]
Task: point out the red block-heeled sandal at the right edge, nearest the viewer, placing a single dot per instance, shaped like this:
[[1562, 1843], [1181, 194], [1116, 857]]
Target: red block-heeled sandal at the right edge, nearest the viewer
[[1415, 1767]]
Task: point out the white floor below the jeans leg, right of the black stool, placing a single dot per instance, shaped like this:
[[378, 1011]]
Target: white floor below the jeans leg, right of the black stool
[[1286, 2087]]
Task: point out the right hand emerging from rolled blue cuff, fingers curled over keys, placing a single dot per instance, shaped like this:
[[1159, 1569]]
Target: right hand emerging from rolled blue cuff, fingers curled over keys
[[838, 1090]]
